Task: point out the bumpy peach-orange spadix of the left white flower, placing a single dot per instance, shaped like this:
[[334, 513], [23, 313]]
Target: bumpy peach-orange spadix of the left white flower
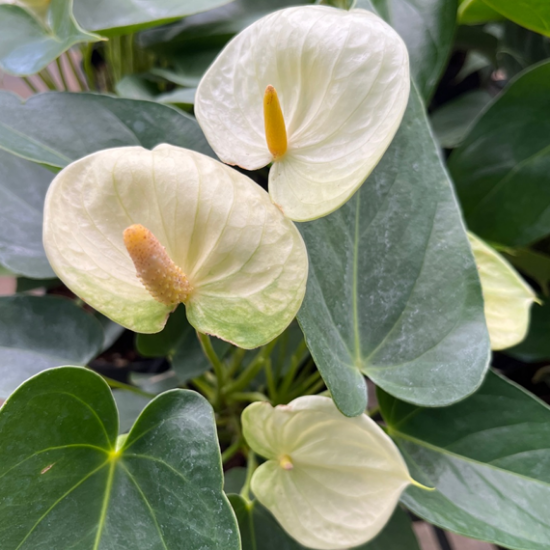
[[164, 280]]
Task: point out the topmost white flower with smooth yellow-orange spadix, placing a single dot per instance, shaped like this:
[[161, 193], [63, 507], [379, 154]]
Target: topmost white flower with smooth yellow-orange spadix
[[318, 91]]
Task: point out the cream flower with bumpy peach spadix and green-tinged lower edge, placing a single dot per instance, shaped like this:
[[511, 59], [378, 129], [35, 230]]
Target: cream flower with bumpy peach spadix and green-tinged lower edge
[[135, 232]]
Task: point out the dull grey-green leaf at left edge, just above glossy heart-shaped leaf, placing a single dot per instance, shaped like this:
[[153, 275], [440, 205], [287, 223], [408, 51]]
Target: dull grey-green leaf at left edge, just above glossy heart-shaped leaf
[[37, 333]]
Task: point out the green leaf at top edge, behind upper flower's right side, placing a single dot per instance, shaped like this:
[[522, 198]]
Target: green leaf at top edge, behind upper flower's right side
[[427, 27]]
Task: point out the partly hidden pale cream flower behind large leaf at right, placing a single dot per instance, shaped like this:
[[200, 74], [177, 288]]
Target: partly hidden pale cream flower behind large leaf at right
[[508, 298]]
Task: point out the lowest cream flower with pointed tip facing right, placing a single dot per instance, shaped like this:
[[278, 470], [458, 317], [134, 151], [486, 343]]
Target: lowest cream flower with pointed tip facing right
[[331, 481]]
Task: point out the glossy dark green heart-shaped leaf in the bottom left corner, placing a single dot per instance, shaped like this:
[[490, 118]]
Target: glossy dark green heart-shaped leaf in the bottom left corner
[[63, 483]]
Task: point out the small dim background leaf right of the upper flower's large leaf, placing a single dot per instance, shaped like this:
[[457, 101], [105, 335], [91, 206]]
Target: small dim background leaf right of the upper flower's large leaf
[[452, 122]]
